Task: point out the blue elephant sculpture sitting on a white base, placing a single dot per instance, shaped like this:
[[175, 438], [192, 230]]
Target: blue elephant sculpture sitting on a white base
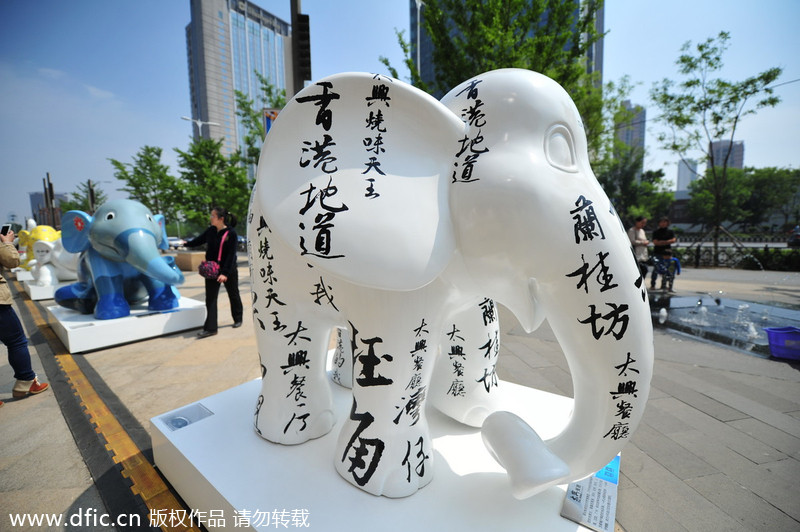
[[120, 263]]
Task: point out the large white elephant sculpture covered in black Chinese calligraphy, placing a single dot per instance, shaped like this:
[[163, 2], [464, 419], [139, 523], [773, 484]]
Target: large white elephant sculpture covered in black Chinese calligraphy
[[384, 212]]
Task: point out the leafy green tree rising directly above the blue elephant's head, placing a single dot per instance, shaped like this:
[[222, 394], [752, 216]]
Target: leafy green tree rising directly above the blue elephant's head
[[148, 181]]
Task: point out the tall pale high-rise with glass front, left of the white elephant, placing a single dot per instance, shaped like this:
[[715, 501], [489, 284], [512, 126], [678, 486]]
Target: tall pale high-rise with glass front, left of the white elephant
[[228, 41]]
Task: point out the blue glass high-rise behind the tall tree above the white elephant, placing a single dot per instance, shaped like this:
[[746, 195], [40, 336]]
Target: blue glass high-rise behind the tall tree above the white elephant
[[422, 47]]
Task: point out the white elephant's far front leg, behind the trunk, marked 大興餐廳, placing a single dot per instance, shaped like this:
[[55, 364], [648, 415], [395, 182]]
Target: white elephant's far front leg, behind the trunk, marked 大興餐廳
[[465, 385]]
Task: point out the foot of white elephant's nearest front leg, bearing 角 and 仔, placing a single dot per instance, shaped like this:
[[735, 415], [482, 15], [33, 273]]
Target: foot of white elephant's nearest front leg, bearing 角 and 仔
[[394, 464]]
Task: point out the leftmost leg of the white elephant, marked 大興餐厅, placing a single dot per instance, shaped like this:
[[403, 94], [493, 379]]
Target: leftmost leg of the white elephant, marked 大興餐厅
[[295, 403]]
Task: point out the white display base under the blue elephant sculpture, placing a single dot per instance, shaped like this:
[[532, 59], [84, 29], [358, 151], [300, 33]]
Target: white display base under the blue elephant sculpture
[[82, 332]]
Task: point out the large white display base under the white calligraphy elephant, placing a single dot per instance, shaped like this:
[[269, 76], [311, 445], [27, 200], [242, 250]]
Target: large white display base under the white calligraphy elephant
[[219, 465]]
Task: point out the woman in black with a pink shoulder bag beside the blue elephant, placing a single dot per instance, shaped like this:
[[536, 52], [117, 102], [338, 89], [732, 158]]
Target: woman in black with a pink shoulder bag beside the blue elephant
[[222, 224]]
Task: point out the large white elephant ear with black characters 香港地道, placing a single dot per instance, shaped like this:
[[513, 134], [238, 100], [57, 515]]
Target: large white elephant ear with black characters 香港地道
[[353, 176]]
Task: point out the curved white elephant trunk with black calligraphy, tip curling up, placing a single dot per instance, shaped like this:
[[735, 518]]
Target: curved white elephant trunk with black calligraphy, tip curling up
[[605, 332]]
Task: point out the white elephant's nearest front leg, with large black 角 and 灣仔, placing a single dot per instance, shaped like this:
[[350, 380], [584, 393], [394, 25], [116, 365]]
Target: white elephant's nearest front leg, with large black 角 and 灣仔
[[384, 446]]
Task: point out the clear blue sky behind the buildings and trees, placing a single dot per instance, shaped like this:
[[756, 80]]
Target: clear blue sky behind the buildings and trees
[[82, 81]]
